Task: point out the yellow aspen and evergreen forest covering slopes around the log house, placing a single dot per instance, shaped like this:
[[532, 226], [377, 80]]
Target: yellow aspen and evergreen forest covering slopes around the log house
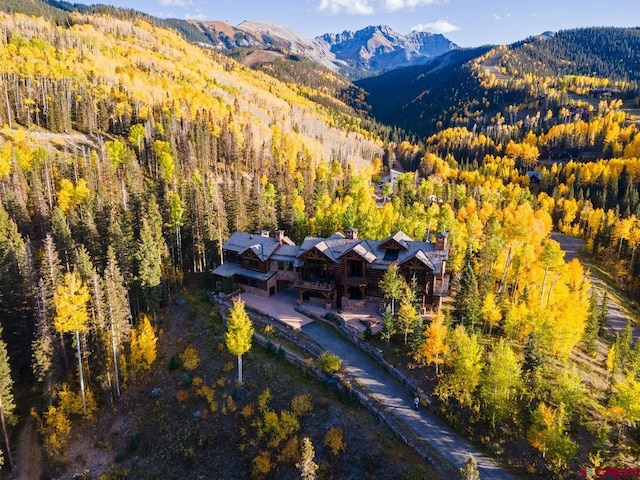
[[128, 156]]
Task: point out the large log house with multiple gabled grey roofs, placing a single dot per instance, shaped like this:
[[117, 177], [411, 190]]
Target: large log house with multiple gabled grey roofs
[[339, 271]]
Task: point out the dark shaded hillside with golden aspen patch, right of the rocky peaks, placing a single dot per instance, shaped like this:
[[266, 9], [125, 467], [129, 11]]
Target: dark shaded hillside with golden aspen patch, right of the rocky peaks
[[469, 87]]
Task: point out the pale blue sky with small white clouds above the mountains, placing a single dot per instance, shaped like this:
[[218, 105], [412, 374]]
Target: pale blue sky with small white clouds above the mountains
[[468, 23]]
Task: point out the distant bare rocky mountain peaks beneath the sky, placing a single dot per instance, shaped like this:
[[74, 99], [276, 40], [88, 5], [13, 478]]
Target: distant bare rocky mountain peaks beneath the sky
[[368, 51]]
